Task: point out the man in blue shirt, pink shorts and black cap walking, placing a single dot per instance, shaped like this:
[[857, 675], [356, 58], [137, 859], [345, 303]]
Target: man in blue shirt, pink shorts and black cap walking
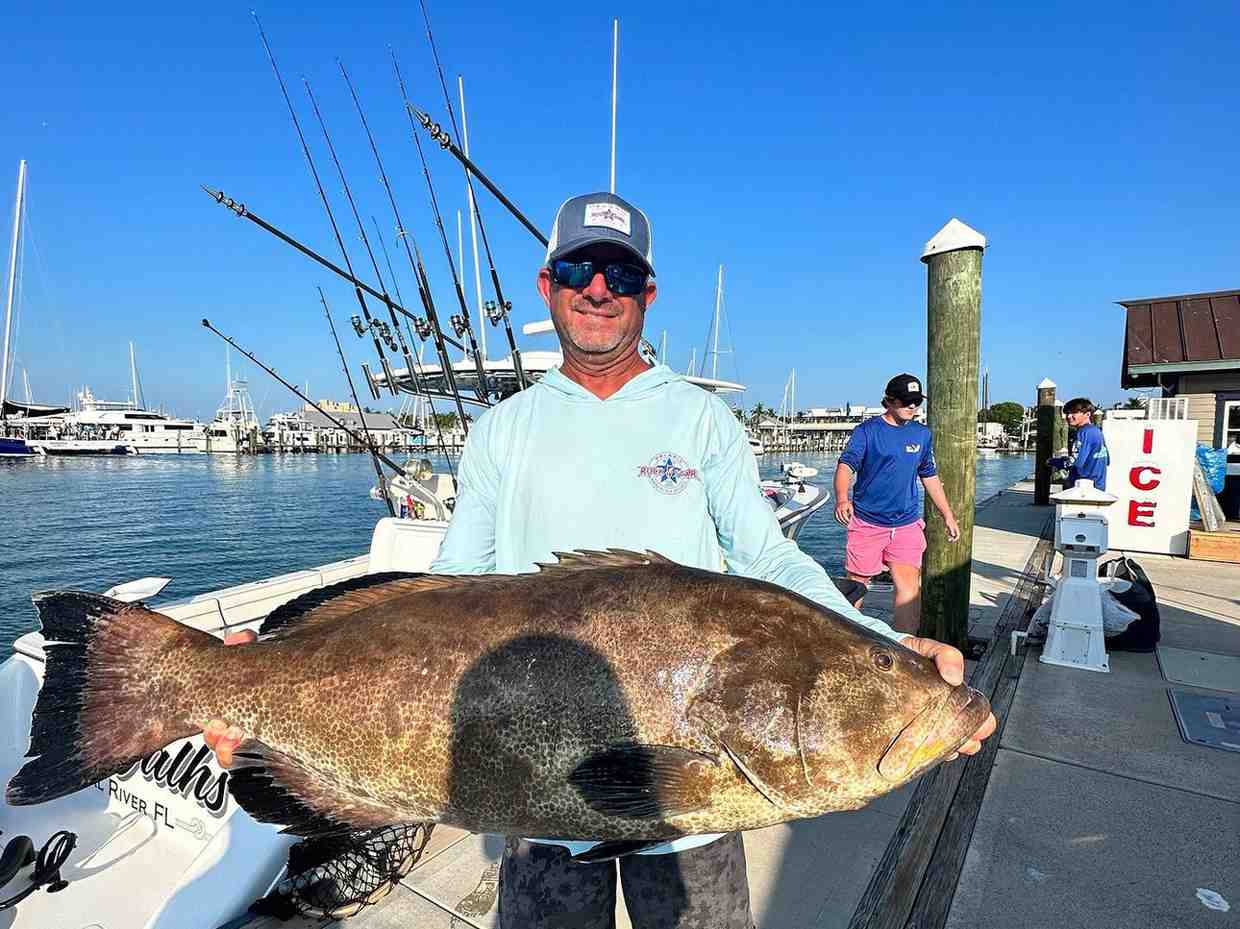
[[890, 455]]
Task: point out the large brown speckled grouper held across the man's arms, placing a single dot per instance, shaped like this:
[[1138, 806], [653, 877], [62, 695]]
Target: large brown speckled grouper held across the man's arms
[[613, 696]]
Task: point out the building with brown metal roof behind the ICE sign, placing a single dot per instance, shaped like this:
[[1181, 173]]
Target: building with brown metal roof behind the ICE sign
[[1190, 345]]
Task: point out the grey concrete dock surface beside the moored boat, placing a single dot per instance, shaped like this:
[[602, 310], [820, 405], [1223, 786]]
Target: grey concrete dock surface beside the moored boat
[[1097, 813]]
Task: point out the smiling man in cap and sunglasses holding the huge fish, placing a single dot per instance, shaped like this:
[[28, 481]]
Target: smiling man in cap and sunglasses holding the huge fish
[[609, 452]]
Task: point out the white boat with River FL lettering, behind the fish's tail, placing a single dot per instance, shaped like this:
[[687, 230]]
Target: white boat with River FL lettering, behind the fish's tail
[[167, 830]]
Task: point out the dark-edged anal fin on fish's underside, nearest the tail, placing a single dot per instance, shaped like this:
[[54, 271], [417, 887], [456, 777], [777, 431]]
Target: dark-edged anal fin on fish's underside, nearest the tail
[[273, 787]]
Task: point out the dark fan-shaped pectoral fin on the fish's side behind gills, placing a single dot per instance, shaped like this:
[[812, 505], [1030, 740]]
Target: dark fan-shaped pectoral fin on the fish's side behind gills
[[644, 782]]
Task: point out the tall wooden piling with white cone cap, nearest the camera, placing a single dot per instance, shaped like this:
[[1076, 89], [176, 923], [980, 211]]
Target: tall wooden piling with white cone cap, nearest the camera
[[954, 321]]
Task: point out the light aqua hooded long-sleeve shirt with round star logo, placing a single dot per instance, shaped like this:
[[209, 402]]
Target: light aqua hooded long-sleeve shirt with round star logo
[[660, 466]]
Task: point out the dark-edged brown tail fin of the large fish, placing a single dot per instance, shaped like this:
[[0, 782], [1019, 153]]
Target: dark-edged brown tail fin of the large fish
[[106, 701]]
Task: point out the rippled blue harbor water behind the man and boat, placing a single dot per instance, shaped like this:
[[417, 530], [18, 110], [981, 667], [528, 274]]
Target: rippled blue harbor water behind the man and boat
[[211, 522]]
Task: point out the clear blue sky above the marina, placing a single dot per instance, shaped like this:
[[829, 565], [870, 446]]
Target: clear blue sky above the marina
[[810, 149]]
